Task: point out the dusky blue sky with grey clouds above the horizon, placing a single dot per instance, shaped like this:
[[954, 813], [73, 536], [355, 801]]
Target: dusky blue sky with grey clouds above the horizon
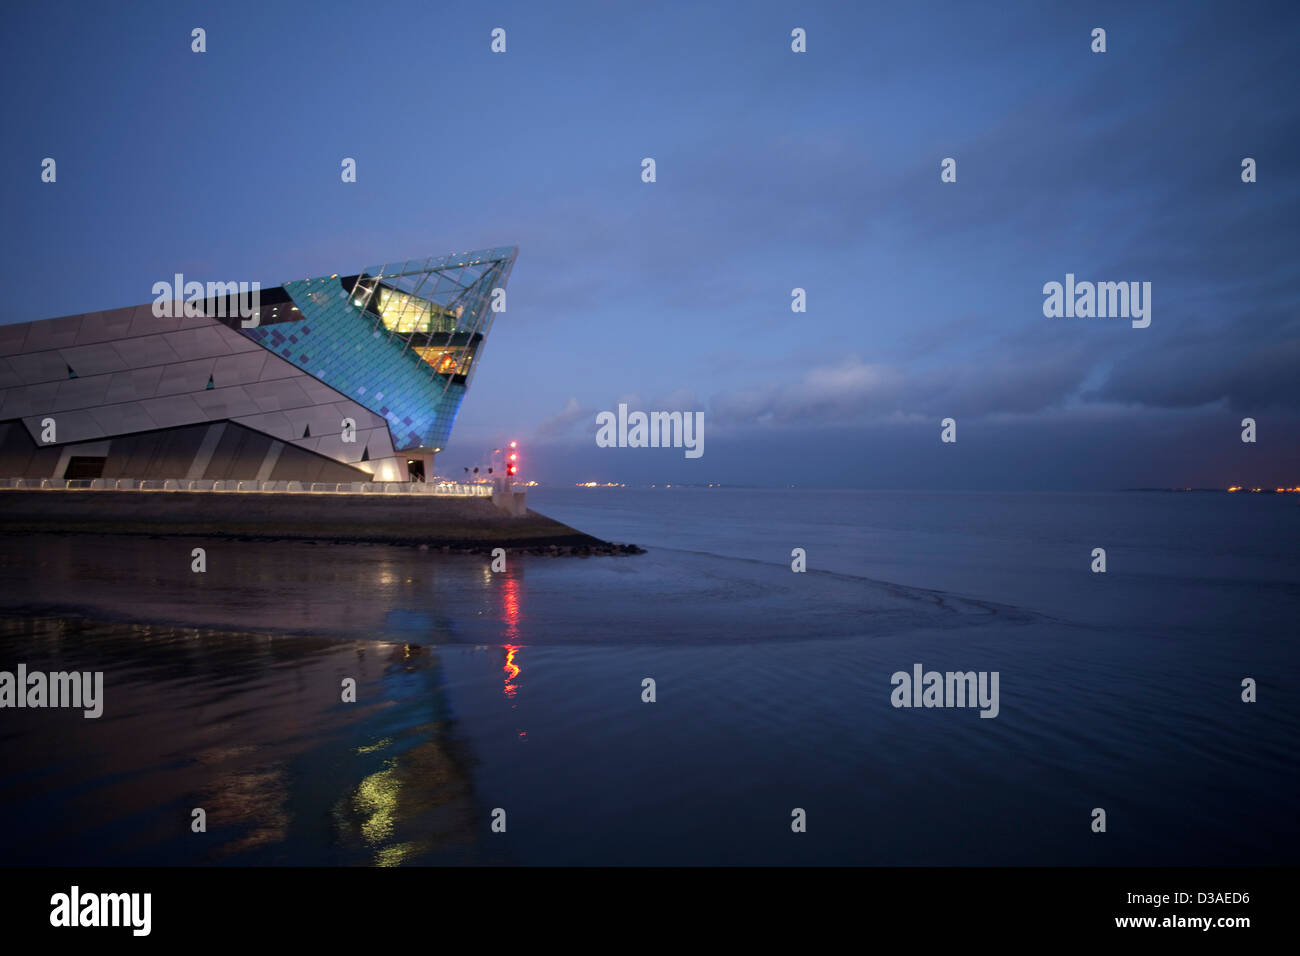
[[774, 171]]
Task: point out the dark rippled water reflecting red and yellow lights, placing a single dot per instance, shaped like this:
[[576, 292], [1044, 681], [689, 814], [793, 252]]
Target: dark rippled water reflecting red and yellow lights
[[523, 690]]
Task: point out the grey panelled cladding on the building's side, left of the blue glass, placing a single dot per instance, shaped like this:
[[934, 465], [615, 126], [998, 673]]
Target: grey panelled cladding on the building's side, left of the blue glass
[[127, 373]]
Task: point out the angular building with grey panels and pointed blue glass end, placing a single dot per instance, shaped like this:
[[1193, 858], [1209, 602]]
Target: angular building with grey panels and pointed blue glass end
[[336, 379]]
